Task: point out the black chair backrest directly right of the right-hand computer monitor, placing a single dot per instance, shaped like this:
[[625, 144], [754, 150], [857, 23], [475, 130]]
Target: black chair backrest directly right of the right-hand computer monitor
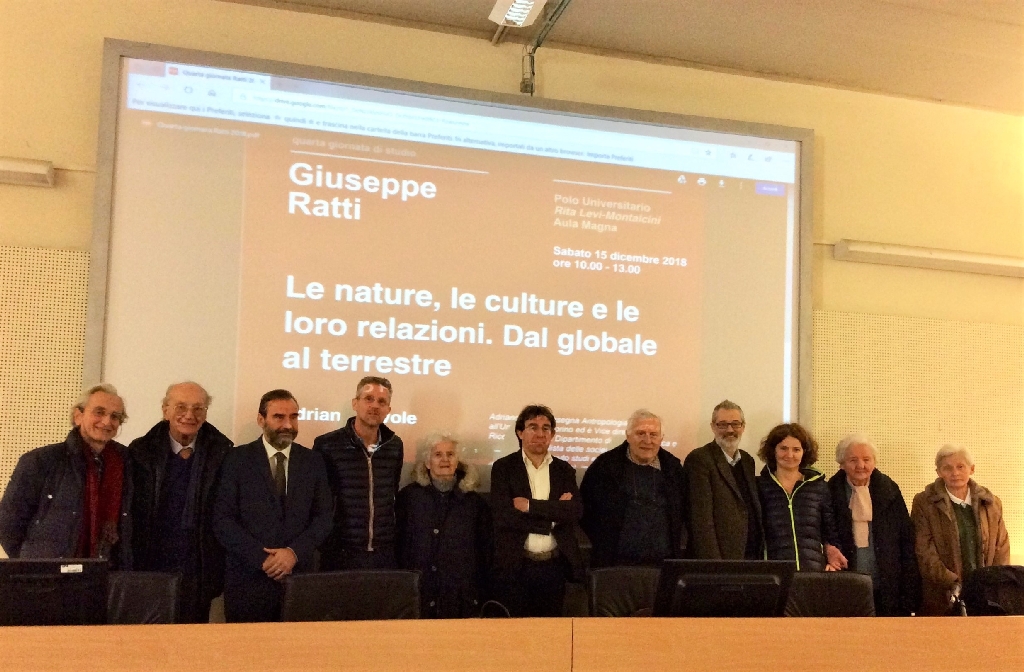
[[831, 595]]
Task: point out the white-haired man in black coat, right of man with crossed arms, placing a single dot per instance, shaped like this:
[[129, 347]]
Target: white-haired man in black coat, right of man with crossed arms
[[634, 499]]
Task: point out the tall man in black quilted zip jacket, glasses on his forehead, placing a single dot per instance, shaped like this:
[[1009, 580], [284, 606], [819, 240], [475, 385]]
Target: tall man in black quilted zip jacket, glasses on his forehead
[[364, 466]]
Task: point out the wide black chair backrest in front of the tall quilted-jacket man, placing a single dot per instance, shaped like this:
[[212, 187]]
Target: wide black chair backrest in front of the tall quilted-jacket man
[[363, 596]]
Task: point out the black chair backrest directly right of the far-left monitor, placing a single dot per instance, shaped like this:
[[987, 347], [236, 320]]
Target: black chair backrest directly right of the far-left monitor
[[142, 598]]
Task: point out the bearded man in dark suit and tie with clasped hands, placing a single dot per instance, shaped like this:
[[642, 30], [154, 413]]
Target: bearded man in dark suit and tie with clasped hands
[[273, 511]]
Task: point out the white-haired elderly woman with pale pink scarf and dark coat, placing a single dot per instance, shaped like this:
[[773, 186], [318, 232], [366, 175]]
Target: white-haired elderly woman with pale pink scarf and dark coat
[[874, 526]]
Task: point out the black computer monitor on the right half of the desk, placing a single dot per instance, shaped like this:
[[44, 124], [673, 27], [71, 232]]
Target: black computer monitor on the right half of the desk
[[723, 589]]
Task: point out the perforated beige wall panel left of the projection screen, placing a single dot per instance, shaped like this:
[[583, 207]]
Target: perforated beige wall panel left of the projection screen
[[42, 343]]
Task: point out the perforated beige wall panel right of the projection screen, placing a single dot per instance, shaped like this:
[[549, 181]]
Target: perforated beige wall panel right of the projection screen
[[915, 385]]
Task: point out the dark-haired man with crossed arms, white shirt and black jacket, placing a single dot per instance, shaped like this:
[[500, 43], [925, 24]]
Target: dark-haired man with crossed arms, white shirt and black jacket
[[537, 506]]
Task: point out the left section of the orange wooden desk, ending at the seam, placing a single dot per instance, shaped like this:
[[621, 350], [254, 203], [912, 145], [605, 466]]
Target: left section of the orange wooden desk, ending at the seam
[[493, 646]]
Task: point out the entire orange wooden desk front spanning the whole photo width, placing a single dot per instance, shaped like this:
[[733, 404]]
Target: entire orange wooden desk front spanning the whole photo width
[[995, 645]]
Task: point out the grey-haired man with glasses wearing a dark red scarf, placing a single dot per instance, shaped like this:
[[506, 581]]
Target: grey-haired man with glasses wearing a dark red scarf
[[73, 499]]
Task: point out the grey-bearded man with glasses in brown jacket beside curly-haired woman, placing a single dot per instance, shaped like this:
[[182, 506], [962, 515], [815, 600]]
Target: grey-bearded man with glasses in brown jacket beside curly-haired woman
[[726, 513]]
